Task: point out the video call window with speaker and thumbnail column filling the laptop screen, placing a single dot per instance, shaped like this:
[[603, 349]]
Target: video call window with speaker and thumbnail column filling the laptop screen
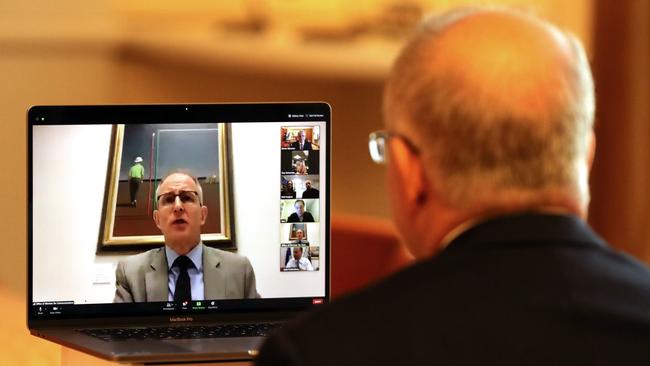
[[263, 186]]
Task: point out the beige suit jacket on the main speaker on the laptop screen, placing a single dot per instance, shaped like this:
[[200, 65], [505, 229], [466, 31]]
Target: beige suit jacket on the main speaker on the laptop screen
[[143, 277]]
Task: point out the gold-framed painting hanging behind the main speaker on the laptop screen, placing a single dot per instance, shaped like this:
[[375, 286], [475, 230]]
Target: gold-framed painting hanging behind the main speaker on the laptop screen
[[141, 156]]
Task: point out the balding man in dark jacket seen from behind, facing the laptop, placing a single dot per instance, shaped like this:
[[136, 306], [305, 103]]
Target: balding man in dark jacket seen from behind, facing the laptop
[[488, 146]]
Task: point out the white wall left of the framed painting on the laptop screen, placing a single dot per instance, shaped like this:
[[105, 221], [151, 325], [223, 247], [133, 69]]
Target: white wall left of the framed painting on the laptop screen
[[69, 175]]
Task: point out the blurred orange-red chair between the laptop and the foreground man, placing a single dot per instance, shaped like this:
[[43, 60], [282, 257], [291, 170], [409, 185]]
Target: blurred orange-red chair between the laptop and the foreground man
[[363, 250]]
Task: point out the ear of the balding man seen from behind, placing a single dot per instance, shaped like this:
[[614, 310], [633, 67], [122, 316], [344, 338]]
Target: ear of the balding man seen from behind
[[410, 171]]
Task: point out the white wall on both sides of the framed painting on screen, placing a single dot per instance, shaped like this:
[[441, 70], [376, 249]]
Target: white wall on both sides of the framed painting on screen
[[69, 176]]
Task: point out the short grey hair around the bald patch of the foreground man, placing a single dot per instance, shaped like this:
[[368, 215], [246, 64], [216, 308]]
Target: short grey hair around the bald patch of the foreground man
[[481, 148]]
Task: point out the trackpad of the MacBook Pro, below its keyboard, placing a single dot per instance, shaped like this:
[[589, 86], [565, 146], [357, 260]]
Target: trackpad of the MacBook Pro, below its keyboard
[[219, 345]]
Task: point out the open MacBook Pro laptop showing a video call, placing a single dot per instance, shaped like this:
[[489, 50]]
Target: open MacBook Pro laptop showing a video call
[[98, 273]]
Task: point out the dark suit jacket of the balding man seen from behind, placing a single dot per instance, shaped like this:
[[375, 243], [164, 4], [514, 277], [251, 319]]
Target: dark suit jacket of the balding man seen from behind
[[518, 290]]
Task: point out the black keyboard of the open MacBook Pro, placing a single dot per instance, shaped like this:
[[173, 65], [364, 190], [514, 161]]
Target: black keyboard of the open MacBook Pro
[[183, 332]]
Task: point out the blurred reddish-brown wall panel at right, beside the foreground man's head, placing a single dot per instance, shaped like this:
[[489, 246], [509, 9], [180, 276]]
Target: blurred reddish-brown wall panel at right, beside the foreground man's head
[[620, 181]]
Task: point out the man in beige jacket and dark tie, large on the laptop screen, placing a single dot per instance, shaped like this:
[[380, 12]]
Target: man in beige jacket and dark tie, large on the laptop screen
[[184, 269]]
